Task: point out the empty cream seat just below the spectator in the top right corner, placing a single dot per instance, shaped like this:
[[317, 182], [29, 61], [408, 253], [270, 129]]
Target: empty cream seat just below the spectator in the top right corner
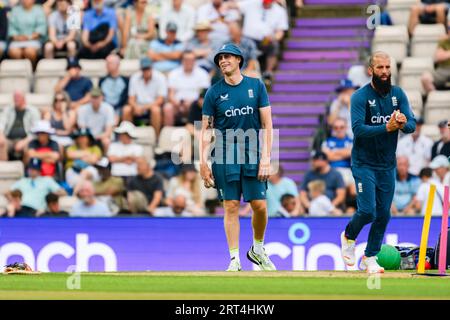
[[425, 39]]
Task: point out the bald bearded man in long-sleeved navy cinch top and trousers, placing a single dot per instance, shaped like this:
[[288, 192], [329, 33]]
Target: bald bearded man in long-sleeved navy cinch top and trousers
[[378, 111]]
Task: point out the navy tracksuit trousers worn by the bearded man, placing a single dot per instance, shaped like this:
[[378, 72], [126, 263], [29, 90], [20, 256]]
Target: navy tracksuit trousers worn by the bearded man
[[375, 191]]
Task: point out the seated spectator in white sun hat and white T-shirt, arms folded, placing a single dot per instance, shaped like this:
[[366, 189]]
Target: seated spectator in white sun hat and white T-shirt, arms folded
[[124, 153]]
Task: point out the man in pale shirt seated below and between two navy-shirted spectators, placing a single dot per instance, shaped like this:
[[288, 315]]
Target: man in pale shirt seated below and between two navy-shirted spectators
[[98, 117]]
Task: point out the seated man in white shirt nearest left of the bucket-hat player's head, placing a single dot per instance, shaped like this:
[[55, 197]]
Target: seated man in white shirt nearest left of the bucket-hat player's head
[[185, 85]]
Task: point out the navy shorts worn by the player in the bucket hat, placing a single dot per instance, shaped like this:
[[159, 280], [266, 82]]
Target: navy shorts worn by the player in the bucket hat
[[249, 187]]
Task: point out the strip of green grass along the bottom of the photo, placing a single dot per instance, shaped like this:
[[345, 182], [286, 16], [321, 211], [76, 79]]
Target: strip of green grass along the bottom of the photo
[[224, 286]]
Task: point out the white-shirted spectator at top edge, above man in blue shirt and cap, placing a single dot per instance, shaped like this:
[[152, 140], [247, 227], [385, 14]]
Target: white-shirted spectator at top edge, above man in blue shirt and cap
[[184, 17]]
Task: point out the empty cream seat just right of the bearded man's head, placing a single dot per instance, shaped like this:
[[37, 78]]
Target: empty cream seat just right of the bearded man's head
[[411, 70]]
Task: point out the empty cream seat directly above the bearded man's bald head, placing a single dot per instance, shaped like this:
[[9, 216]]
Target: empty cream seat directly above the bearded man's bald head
[[392, 39]]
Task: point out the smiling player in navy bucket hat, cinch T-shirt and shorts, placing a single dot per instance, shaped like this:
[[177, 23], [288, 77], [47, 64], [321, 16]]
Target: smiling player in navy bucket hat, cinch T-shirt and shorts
[[237, 107]]
